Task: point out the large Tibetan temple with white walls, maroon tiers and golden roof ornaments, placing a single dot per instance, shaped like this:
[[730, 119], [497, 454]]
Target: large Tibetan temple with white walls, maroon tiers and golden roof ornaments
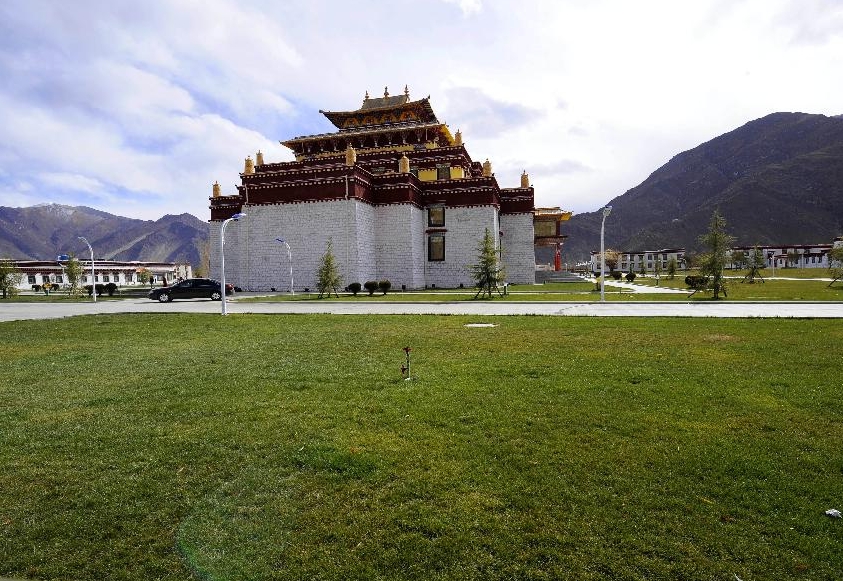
[[396, 193]]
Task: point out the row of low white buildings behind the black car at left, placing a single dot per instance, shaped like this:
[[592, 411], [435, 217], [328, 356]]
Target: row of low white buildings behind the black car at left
[[37, 273]]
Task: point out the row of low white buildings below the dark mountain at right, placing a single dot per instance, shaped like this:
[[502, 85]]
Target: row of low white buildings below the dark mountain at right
[[783, 256]]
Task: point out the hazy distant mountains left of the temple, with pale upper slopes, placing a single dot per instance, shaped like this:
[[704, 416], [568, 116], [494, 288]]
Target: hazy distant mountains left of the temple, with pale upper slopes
[[43, 232]]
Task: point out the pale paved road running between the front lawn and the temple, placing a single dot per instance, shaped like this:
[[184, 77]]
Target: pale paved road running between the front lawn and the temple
[[20, 311]]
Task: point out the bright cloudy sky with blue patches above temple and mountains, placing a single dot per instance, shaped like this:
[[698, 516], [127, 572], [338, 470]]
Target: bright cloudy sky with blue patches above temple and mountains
[[136, 108]]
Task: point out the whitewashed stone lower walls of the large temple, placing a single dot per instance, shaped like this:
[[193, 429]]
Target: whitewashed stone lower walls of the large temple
[[384, 242]]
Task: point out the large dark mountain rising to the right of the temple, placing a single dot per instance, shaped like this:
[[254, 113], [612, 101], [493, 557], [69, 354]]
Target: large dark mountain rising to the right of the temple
[[776, 180]]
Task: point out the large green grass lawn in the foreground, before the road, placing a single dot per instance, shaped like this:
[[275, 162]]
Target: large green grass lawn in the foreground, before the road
[[167, 446]]
